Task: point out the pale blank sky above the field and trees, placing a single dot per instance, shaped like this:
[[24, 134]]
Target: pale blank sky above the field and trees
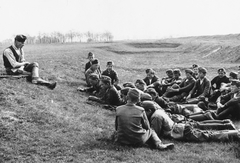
[[125, 19]]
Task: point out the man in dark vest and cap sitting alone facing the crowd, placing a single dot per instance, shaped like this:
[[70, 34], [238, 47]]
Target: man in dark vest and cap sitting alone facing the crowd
[[15, 64]]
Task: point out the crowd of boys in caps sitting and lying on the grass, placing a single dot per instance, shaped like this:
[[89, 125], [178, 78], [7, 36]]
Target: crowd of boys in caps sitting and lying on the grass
[[191, 108]]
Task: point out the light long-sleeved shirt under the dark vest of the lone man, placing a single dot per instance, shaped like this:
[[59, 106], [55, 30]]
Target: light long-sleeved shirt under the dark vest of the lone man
[[12, 60]]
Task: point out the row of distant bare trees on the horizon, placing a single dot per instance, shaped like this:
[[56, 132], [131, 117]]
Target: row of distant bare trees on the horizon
[[70, 36]]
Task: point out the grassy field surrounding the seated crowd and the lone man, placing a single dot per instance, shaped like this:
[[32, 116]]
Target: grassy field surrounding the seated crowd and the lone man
[[60, 125]]
